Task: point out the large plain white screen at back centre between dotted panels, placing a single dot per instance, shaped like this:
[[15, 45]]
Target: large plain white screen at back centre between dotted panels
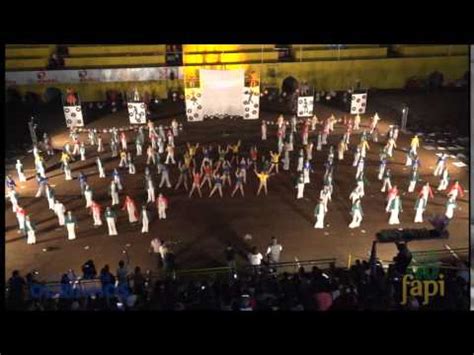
[[222, 92]]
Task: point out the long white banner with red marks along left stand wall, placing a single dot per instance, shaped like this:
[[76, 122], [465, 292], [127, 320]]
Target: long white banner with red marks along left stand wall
[[92, 75]]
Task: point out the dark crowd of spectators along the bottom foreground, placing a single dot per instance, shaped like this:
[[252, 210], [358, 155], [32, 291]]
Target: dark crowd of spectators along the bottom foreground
[[367, 285]]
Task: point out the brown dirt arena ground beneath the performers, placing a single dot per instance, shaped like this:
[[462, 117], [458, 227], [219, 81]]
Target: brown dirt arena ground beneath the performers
[[203, 226]]
